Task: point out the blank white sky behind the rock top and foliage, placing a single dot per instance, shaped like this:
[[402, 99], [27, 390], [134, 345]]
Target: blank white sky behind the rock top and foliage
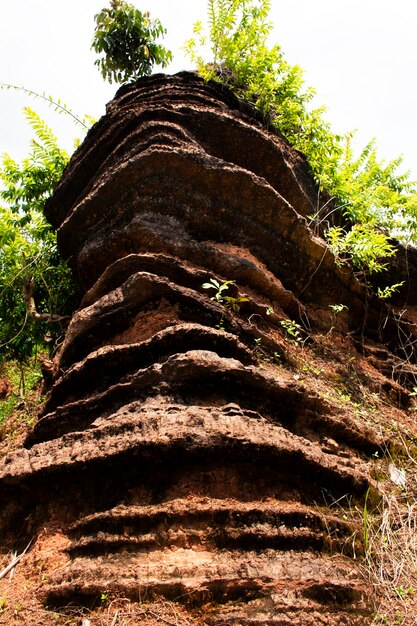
[[360, 55]]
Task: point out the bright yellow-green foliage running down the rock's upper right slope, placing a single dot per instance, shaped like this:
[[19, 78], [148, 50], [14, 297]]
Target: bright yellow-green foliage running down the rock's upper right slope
[[369, 192]]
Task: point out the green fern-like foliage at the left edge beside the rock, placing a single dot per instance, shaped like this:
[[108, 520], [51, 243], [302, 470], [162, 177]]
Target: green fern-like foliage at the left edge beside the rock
[[28, 251]]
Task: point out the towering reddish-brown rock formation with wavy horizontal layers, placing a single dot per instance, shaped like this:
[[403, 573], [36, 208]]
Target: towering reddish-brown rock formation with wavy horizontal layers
[[179, 452]]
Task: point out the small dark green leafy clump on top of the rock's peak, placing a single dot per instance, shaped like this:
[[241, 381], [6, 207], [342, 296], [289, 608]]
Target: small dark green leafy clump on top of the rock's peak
[[127, 39]]
